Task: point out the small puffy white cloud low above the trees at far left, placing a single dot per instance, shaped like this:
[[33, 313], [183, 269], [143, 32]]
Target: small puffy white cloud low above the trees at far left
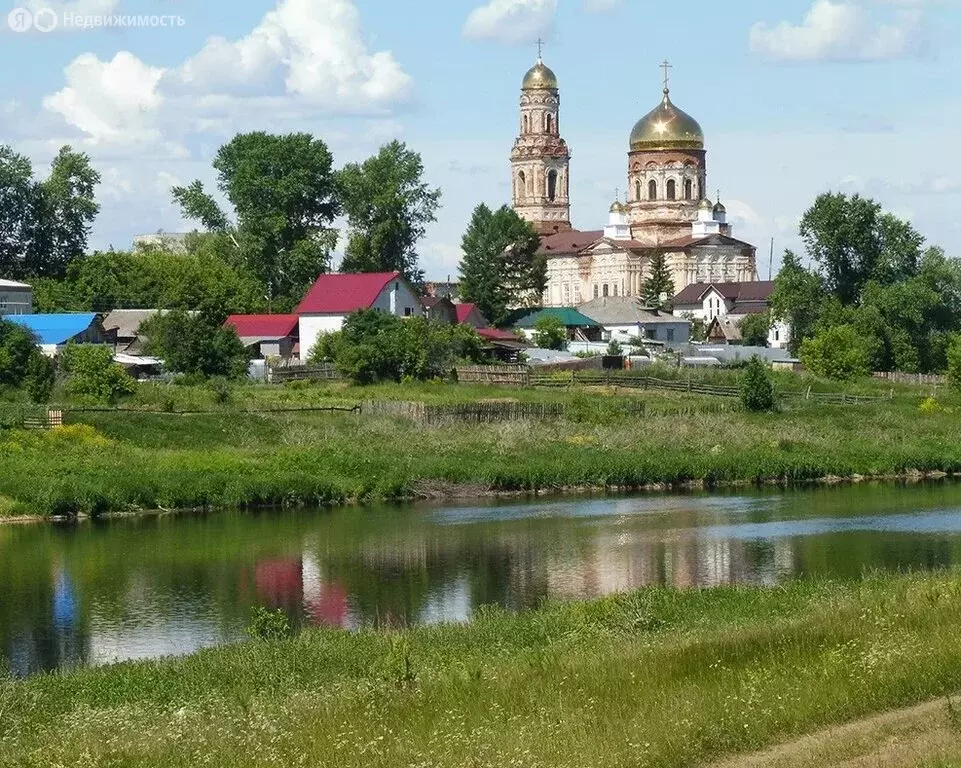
[[114, 100]]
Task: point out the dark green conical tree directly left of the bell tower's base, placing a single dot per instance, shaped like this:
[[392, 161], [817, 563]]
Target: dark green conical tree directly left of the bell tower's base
[[501, 266]]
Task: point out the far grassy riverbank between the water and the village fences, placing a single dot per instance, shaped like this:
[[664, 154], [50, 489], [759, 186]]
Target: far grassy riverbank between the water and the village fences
[[121, 462]]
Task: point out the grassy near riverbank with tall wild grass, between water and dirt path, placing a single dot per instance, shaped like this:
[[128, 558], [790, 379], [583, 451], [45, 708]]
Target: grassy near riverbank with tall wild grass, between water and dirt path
[[656, 677]]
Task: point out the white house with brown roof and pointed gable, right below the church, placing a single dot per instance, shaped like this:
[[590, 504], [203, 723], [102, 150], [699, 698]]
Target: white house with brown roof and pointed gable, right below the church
[[707, 301]]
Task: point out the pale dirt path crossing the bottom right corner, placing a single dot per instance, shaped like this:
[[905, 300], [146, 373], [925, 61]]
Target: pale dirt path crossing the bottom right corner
[[924, 735]]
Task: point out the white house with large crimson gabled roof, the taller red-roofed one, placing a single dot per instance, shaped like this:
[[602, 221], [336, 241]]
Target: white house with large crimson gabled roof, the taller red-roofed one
[[332, 297]]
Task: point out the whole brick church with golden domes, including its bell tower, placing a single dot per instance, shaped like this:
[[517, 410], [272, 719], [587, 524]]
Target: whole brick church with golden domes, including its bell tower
[[667, 210]]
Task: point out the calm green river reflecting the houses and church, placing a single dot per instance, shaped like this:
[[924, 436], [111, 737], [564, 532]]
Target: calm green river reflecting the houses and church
[[96, 593]]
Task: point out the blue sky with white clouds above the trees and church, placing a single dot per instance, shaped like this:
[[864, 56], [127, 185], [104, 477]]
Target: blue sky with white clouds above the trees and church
[[796, 97]]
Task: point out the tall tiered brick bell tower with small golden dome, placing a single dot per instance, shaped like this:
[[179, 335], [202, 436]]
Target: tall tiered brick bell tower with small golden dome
[[540, 160]]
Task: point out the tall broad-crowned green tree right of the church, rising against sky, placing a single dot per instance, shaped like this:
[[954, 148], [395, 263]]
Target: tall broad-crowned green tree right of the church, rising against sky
[[853, 241]]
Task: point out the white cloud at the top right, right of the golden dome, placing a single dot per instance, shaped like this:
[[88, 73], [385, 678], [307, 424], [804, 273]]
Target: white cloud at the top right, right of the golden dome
[[837, 31]]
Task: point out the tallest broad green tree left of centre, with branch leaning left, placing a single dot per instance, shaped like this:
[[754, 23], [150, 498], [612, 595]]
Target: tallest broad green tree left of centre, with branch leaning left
[[283, 190]]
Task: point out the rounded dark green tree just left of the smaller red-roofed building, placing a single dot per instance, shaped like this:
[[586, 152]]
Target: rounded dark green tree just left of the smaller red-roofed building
[[196, 344]]
